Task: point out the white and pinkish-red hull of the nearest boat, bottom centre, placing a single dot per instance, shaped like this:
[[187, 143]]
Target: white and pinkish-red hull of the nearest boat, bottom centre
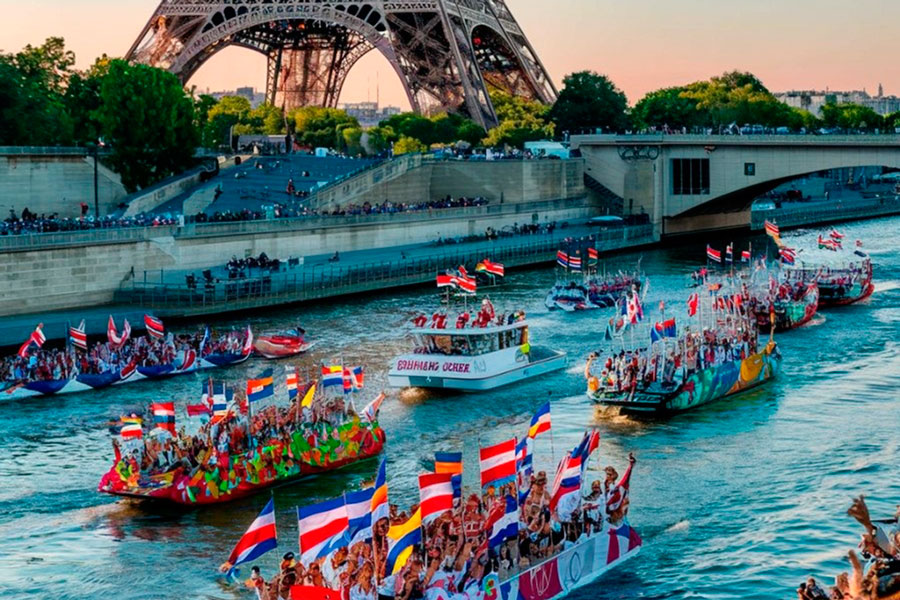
[[575, 567]]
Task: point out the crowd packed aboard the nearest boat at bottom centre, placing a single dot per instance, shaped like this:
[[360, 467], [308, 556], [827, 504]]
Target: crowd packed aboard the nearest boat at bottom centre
[[455, 557]]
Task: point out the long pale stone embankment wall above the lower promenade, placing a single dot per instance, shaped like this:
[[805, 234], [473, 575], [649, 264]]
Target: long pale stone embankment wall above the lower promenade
[[64, 274]]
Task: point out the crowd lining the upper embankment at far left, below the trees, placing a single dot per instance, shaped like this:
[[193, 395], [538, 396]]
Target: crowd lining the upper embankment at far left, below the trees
[[30, 222]]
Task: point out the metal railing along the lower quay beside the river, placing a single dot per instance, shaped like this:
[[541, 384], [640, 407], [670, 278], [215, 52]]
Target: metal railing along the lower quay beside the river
[[320, 281]]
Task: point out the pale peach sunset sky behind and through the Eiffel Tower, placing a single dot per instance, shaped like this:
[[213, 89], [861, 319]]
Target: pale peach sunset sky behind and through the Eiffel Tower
[[641, 46]]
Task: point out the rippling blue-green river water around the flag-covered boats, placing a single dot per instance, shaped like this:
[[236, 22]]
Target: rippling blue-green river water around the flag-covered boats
[[739, 499]]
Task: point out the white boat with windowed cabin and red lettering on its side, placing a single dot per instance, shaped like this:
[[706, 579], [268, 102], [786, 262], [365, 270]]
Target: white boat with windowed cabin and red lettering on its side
[[472, 358]]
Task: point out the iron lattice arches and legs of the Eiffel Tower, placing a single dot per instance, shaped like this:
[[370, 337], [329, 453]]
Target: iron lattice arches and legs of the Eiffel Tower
[[447, 53]]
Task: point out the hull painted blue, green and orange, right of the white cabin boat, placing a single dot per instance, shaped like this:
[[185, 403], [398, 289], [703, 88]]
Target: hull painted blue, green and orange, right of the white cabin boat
[[701, 388]]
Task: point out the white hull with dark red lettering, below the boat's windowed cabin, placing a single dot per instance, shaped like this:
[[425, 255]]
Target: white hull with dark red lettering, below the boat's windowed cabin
[[476, 379]]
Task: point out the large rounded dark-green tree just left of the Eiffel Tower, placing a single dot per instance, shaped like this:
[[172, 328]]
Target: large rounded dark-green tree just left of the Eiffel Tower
[[148, 120]]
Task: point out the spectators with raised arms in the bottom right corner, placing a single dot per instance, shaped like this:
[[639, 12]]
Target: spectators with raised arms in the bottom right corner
[[877, 576]]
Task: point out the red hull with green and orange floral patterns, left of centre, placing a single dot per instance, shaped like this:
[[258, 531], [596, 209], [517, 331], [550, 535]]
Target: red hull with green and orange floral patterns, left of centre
[[355, 440]]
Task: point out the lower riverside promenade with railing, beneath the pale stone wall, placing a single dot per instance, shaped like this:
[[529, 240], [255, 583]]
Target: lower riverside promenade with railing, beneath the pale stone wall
[[168, 295]]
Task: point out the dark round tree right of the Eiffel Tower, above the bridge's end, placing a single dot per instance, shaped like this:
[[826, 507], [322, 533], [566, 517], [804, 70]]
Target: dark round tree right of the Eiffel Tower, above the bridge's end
[[589, 101]]
